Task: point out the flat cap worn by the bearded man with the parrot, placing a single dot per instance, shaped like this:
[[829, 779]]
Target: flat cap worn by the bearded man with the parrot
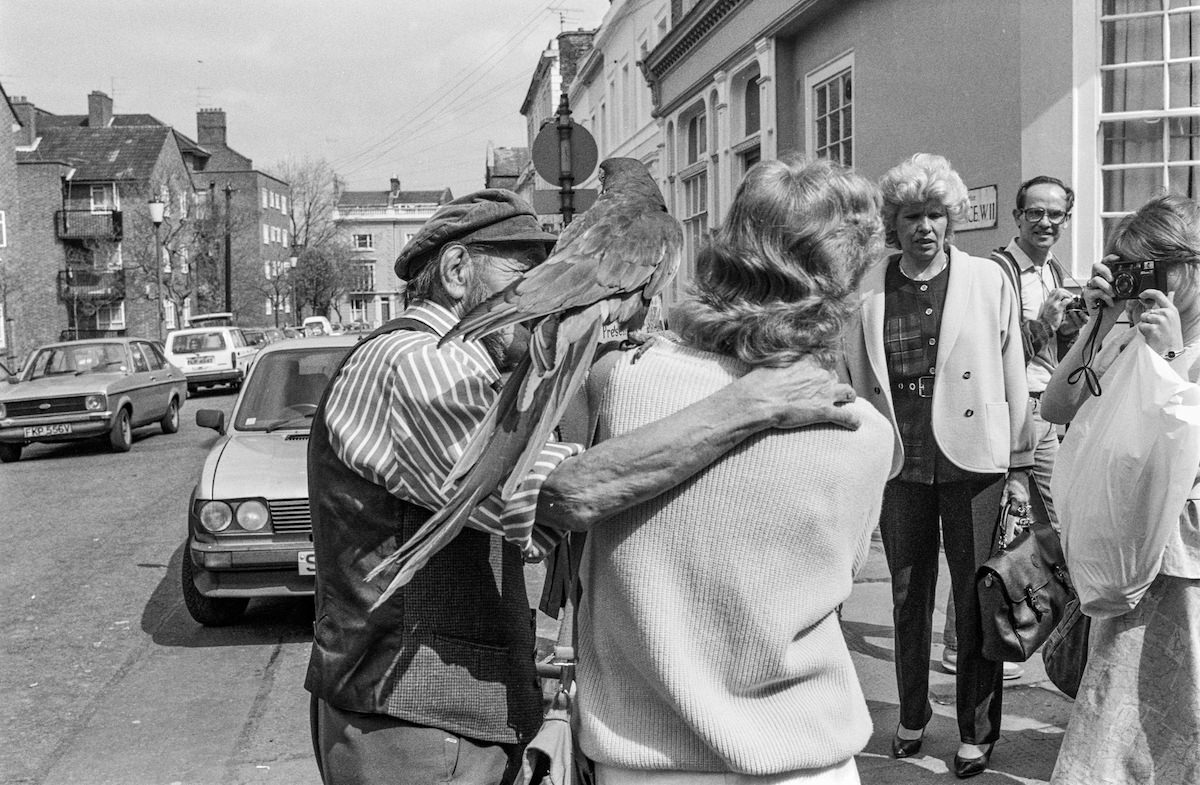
[[493, 215]]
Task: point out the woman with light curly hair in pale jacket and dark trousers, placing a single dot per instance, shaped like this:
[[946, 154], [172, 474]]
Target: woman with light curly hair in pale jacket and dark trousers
[[937, 347]]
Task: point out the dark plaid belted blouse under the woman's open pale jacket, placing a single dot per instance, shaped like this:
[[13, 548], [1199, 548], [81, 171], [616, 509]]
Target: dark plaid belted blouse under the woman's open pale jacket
[[913, 320]]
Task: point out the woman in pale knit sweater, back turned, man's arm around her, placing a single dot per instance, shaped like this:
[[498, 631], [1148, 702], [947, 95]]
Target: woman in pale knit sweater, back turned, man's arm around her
[[710, 645]]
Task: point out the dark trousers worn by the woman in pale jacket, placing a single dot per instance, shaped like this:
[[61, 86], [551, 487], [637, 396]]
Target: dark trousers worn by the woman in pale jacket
[[909, 525]]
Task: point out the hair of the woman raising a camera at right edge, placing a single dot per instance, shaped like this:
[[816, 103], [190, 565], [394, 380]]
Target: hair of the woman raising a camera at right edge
[[1166, 230]]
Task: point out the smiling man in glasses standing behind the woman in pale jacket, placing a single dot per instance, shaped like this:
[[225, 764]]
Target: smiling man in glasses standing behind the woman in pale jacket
[[1051, 320]]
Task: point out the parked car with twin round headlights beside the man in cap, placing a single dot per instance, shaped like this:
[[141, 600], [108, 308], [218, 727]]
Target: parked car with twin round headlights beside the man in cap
[[249, 529]]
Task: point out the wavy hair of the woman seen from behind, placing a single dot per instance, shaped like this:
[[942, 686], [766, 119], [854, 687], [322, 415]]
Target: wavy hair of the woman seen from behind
[[776, 281]]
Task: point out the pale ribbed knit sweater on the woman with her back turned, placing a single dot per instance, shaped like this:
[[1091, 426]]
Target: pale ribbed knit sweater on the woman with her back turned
[[709, 638]]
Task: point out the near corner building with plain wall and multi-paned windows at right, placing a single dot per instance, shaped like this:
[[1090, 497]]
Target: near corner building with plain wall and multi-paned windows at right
[[1099, 93]]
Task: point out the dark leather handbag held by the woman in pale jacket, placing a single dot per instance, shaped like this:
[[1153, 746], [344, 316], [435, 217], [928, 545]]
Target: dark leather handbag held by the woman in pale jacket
[[1024, 591]]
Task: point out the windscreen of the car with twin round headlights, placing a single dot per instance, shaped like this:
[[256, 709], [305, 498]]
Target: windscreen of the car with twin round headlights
[[286, 387]]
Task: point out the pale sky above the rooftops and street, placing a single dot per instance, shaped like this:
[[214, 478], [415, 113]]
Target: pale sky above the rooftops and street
[[415, 89]]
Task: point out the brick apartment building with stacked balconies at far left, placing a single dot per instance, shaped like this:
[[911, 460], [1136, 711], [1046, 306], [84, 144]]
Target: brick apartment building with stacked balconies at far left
[[87, 249]]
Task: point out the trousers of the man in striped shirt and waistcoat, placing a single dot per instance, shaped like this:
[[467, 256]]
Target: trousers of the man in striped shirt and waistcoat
[[376, 750]]
